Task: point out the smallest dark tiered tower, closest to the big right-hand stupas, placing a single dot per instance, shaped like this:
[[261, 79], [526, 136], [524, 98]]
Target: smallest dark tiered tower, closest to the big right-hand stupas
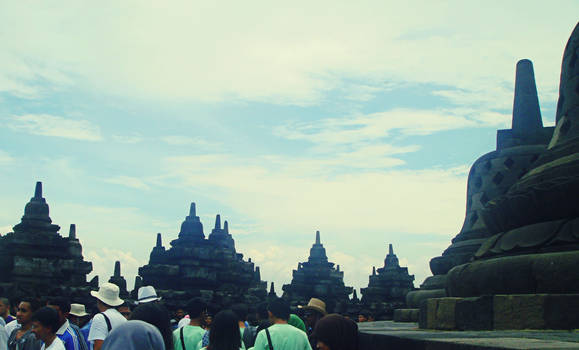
[[390, 284]]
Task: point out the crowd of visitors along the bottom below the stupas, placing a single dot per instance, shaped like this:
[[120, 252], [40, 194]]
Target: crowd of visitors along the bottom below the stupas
[[56, 324]]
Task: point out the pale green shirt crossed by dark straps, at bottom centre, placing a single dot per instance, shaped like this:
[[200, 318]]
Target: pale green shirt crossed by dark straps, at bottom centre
[[283, 337]]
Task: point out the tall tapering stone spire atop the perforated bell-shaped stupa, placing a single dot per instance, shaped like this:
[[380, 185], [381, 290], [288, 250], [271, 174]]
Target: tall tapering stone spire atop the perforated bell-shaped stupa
[[526, 111]]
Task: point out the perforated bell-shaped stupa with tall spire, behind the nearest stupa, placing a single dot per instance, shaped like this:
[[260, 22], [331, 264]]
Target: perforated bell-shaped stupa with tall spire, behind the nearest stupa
[[490, 177]]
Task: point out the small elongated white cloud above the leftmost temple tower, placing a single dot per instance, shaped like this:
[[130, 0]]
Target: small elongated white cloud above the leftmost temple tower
[[49, 125]]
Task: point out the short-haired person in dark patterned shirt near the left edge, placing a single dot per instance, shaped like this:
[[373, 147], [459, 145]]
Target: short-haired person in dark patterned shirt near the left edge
[[22, 338]]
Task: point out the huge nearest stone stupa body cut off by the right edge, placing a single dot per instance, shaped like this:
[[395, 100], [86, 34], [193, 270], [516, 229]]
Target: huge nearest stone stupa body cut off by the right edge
[[535, 224]]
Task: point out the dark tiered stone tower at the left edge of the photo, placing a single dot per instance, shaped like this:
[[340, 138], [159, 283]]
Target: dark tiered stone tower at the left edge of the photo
[[36, 260]]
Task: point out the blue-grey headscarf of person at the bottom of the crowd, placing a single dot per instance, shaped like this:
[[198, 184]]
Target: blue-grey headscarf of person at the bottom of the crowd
[[134, 335]]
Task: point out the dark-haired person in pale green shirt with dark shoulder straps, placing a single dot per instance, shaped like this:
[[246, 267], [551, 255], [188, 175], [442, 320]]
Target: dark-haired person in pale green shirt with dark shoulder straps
[[280, 335]]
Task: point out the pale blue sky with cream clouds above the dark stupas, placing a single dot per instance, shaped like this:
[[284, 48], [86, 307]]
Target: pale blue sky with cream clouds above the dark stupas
[[358, 119]]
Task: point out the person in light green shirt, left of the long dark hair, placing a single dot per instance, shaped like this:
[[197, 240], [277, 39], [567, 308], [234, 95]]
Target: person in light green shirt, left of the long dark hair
[[189, 336]]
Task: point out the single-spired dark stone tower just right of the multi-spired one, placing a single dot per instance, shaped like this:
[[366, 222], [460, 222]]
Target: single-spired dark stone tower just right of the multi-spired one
[[317, 278]]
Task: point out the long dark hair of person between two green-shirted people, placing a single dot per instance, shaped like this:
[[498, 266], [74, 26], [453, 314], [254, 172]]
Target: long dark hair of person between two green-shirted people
[[224, 333]]
